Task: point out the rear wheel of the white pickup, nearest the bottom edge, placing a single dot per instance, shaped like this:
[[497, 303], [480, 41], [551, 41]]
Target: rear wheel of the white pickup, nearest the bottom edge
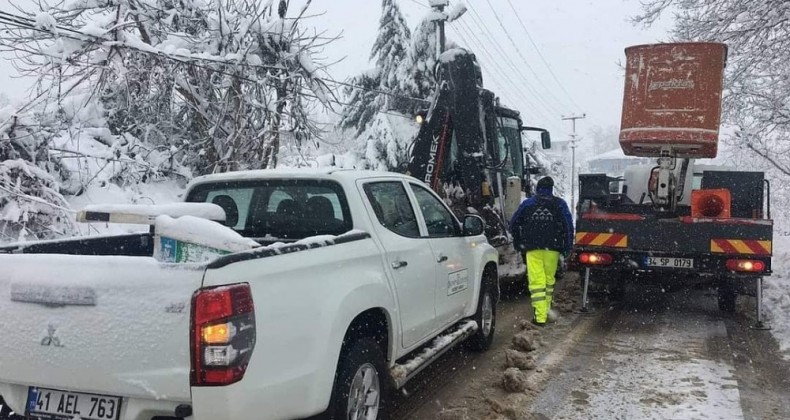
[[362, 382]]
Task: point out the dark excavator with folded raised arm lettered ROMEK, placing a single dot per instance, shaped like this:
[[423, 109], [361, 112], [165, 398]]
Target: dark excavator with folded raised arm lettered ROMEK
[[469, 150]]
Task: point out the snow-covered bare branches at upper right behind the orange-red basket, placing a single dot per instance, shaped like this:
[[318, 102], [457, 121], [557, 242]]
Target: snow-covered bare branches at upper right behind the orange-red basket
[[757, 94]]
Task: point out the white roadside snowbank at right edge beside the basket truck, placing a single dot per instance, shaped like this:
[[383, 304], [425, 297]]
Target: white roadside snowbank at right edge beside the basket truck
[[777, 292]]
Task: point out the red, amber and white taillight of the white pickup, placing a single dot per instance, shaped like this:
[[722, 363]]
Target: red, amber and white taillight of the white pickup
[[223, 334]]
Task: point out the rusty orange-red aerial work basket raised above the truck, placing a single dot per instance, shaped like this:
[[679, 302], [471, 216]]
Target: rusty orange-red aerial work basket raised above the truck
[[672, 99]]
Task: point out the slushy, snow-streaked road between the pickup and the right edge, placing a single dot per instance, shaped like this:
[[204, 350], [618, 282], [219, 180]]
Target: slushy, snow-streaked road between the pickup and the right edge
[[658, 356]]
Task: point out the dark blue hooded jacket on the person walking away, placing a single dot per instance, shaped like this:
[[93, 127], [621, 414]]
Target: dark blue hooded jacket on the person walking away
[[543, 222]]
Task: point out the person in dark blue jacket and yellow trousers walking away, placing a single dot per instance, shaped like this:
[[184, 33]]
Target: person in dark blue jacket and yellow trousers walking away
[[543, 228]]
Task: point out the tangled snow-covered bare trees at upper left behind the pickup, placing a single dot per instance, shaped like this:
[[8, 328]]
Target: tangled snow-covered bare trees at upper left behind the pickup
[[130, 91]]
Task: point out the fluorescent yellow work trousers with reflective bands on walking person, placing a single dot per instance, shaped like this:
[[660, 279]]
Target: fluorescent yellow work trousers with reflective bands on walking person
[[541, 269]]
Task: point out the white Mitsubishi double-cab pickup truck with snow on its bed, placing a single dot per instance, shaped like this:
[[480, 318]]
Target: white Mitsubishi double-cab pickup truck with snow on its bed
[[361, 281]]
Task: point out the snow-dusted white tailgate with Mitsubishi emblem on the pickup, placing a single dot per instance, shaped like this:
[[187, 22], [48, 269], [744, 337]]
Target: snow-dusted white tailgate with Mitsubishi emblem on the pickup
[[107, 325]]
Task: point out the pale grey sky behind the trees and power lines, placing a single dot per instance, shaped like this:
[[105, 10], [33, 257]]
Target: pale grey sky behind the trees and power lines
[[582, 41]]
